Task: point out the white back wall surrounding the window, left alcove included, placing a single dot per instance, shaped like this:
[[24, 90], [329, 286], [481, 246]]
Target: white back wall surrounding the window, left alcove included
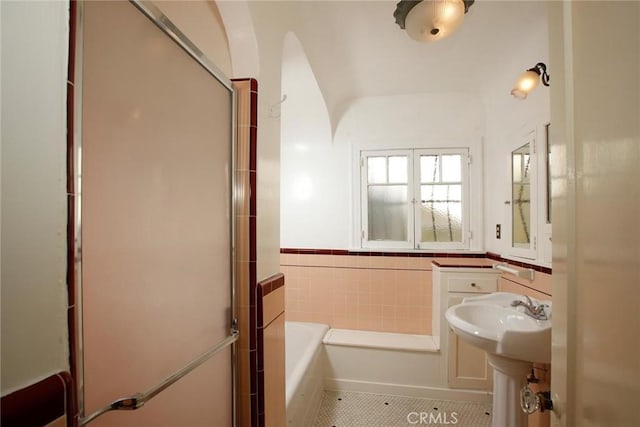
[[326, 217]]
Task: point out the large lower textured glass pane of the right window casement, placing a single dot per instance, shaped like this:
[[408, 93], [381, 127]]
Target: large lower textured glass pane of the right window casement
[[441, 213]]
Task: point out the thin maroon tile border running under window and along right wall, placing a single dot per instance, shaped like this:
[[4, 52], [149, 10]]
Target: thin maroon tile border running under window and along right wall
[[489, 255]]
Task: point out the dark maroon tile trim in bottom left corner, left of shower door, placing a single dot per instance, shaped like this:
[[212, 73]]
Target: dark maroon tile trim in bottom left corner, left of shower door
[[39, 403]]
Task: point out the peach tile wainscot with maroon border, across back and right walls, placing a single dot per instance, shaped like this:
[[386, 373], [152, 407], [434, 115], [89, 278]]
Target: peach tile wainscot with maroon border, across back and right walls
[[388, 292]]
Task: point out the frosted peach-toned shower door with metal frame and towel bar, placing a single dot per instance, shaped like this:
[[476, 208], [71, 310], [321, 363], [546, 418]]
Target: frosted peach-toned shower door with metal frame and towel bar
[[154, 183]]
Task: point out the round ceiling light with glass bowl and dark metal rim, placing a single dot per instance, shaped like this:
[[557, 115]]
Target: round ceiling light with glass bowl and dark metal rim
[[430, 20]]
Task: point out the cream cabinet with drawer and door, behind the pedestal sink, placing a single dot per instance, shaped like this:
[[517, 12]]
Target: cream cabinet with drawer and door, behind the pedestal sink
[[467, 365]]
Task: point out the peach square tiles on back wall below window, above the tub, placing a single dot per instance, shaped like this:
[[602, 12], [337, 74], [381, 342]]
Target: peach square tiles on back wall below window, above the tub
[[372, 293]]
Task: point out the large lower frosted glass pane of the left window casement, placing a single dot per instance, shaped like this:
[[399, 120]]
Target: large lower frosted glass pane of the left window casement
[[387, 209]]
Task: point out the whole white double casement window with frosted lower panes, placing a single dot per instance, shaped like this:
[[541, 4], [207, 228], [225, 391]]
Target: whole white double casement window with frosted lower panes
[[415, 199]]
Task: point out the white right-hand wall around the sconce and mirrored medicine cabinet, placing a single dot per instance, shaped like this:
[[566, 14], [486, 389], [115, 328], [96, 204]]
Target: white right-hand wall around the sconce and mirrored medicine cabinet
[[507, 119]]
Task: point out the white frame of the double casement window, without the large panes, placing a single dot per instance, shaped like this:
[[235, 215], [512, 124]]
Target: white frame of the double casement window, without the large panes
[[414, 232]]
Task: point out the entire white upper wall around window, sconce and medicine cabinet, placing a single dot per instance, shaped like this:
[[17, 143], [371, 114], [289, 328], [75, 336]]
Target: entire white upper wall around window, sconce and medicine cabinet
[[489, 122]]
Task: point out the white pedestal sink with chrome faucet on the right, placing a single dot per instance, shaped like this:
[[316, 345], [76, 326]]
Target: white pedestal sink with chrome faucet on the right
[[513, 340]]
